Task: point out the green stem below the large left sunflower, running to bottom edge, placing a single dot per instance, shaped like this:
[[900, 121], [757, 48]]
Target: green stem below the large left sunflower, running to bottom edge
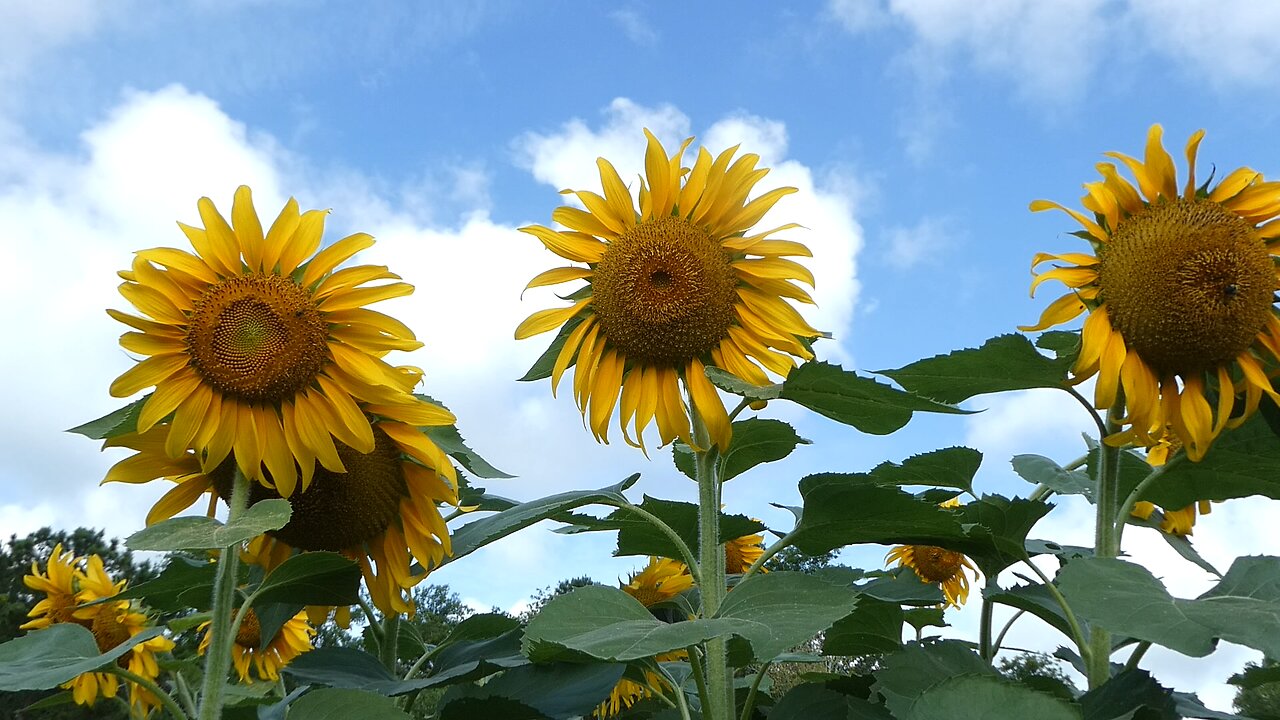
[[222, 634]]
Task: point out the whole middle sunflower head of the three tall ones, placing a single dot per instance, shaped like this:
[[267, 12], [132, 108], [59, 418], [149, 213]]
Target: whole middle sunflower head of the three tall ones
[[673, 289]]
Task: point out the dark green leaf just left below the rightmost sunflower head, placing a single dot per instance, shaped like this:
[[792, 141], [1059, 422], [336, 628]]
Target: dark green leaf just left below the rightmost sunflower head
[[1004, 363]]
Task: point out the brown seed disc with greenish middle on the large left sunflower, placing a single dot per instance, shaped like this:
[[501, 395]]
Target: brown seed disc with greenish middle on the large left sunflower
[[259, 339]]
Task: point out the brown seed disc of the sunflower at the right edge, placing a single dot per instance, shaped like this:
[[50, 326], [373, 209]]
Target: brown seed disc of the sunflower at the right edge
[[1187, 284]]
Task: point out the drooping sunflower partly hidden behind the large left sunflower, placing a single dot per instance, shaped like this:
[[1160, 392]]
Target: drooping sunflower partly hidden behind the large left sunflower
[[382, 512]]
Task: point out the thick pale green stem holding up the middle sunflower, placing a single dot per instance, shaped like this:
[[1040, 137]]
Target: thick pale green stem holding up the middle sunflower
[[720, 700]]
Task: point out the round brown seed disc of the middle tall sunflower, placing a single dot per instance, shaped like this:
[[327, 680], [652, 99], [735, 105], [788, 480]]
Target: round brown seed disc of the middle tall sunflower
[[665, 293]]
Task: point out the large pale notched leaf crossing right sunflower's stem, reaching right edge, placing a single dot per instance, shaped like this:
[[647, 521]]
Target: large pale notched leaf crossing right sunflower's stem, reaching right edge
[[1126, 599]]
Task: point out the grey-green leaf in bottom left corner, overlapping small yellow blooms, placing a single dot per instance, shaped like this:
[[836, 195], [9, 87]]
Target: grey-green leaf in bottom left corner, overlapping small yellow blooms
[[47, 659]]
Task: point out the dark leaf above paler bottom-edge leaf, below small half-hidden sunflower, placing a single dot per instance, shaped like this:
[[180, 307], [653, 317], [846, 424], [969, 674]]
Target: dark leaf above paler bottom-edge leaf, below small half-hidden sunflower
[[908, 673]]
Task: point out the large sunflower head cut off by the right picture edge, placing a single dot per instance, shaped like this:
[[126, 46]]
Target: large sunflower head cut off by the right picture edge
[[1180, 291]]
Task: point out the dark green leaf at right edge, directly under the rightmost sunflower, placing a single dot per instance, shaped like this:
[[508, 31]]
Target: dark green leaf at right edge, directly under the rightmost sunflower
[[1241, 463]]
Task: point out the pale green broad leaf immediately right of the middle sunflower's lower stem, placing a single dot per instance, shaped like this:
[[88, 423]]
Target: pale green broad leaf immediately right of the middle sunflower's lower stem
[[781, 610]]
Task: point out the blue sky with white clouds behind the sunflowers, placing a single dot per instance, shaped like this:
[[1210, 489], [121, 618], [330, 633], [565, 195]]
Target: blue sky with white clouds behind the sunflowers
[[917, 133]]
